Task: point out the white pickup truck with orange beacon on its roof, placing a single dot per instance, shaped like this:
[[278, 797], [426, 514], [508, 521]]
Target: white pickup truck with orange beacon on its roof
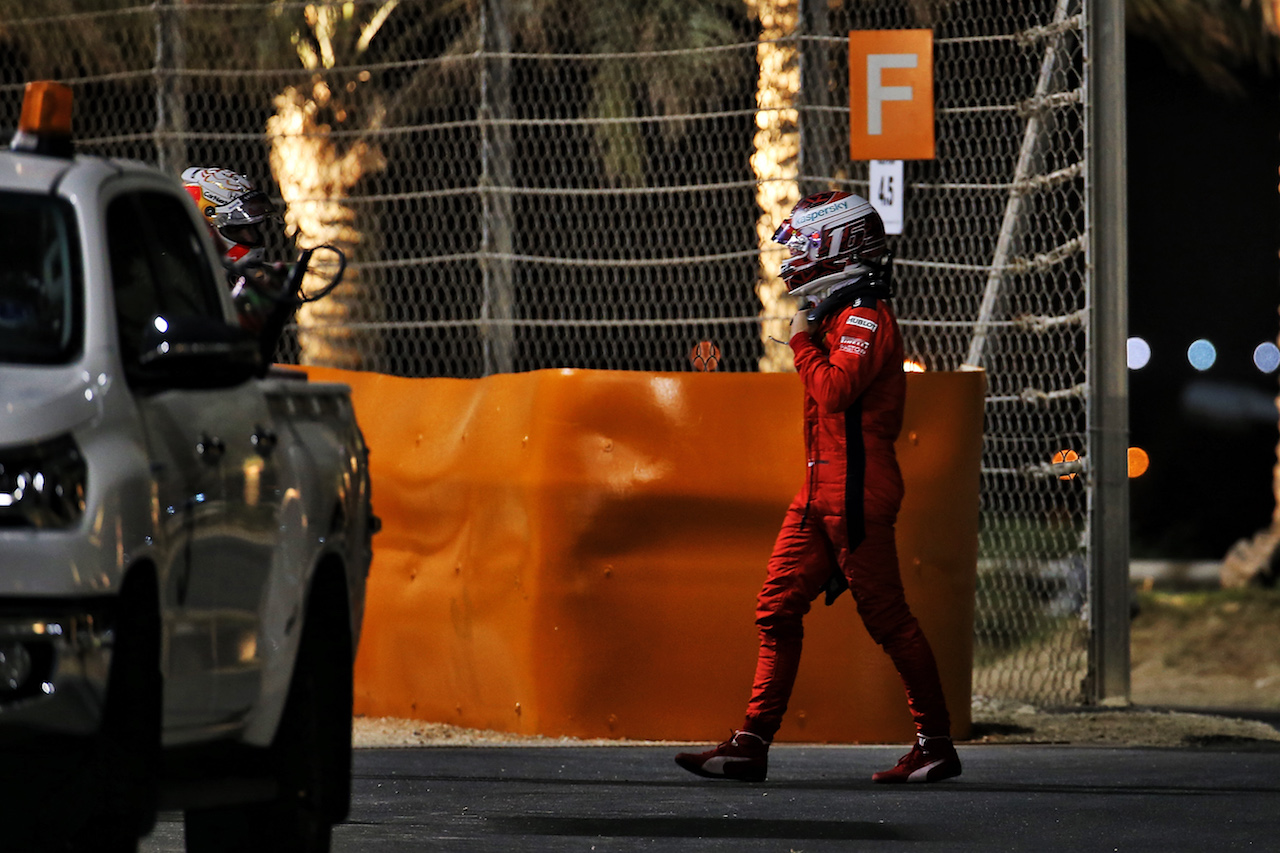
[[185, 533]]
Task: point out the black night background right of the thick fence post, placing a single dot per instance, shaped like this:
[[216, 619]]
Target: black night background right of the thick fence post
[[1204, 240]]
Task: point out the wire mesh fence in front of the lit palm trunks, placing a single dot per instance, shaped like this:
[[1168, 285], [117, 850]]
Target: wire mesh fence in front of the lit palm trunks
[[592, 184]]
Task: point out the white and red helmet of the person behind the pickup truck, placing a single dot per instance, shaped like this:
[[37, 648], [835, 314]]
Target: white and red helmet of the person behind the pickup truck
[[235, 211]]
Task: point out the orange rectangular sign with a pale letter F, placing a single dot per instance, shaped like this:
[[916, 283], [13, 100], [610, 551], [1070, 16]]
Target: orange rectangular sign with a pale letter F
[[892, 95]]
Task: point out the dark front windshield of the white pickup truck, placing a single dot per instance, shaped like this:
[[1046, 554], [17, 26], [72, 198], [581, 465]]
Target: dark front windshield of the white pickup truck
[[40, 290]]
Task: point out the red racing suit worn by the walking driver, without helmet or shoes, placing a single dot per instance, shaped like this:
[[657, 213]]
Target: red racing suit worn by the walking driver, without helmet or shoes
[[843, 519]]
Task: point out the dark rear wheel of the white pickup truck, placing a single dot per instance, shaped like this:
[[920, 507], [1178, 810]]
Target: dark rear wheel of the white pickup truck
[[312, 754]]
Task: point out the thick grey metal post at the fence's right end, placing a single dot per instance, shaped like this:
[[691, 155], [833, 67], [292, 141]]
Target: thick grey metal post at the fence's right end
[[1109, 320]]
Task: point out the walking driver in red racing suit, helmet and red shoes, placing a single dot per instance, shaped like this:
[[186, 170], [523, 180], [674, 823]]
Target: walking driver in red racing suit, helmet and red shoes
[[839, 531]]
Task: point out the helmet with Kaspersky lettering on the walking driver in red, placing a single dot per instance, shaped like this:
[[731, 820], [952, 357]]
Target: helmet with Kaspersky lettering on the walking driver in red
[[834, 239]]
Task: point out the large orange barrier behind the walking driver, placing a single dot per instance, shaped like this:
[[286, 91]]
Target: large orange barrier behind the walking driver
[[578, 554]]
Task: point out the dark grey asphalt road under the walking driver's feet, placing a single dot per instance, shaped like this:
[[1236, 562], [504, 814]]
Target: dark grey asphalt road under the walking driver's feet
[[1043, 799]]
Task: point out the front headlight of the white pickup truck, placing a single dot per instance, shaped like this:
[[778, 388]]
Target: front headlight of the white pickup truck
[[43, 485]]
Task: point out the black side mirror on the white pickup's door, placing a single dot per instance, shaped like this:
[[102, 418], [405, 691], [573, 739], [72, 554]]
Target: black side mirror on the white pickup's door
[[194, 353]]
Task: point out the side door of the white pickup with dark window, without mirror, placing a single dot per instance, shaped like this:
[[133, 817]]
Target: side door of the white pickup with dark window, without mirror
[[216, 478]]
